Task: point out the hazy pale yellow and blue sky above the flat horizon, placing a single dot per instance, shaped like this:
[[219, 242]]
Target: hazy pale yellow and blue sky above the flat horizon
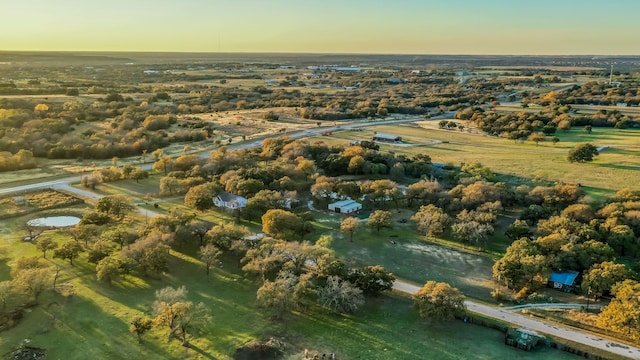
[[504, 27]]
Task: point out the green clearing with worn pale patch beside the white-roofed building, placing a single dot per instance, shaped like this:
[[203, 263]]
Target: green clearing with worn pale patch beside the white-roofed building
[[411, 257]]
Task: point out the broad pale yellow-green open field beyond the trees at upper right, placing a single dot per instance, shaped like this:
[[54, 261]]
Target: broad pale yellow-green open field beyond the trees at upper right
[[617, 167]]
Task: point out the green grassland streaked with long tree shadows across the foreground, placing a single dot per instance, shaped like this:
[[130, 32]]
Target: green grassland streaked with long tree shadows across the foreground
[[93, 322]]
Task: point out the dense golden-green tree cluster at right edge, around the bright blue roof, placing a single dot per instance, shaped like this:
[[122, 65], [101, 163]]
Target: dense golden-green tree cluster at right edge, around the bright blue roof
[[572, 236]]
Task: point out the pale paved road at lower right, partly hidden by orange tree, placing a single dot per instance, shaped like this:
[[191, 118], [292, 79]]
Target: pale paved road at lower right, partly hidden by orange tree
[[555, 330]]
